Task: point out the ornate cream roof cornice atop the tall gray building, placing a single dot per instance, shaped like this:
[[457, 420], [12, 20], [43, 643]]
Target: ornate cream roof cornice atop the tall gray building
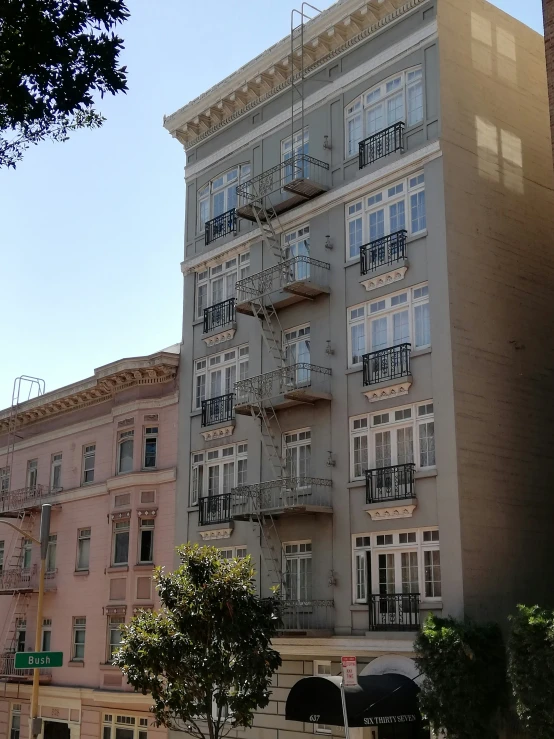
[[328, 35]]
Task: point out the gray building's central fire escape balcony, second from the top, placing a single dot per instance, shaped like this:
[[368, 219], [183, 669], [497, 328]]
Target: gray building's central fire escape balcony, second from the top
[[296, 279]]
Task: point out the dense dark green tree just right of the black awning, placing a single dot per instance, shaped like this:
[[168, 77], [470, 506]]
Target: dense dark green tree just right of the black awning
[[465, 676]]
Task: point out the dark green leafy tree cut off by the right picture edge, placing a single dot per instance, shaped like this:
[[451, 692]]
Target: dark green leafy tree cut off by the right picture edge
[[531, 669]]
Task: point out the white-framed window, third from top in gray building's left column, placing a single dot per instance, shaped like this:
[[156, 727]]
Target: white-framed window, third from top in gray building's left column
[[216, 375]]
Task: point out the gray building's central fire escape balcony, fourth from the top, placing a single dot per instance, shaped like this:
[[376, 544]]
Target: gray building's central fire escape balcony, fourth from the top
[[290, 495]]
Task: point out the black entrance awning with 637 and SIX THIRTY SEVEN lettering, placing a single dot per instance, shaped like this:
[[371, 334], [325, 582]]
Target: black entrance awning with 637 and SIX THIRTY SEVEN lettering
[[376, 700]]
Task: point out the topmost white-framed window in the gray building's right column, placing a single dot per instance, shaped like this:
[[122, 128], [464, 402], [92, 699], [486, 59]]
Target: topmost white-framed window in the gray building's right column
[[398, 98]]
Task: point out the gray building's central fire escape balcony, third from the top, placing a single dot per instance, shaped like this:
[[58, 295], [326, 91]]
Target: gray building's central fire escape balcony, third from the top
[[284, 388]]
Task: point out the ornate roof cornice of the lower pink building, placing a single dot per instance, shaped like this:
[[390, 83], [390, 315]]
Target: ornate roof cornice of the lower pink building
[[105, 384]]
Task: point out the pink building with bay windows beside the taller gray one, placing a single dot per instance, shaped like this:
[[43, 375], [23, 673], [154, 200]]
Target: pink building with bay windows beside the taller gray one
[[103, 453]]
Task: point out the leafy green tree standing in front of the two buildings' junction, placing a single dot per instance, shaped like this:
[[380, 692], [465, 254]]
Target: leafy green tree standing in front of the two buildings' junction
[[206, 656]]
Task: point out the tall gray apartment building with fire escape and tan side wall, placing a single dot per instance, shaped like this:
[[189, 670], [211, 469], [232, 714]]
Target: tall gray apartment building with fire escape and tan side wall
[[366, 380]]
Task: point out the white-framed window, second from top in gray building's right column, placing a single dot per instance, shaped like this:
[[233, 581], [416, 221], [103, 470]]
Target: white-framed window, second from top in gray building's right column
[[397, 207]]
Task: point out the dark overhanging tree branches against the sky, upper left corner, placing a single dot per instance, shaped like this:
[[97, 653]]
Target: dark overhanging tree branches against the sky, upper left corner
[[54, 56]]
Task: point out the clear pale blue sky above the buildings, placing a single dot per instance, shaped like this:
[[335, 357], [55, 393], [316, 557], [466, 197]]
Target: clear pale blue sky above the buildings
[[91, 230]]
